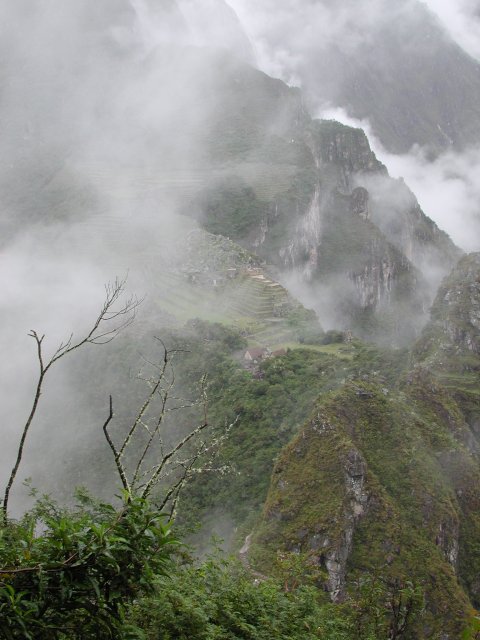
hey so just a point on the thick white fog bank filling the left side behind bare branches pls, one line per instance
(105, 109)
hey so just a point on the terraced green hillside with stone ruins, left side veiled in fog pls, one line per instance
(185, 273)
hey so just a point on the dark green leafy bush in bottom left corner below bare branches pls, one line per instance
(70, 573)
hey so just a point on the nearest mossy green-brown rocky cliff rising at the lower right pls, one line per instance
(385, 478)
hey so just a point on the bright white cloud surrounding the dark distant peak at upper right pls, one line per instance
(294, 41)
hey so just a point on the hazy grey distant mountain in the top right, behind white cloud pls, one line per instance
(396, 66)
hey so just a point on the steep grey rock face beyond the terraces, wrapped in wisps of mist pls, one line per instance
(357, 234)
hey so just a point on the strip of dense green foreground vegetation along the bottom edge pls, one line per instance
(102, 572)
